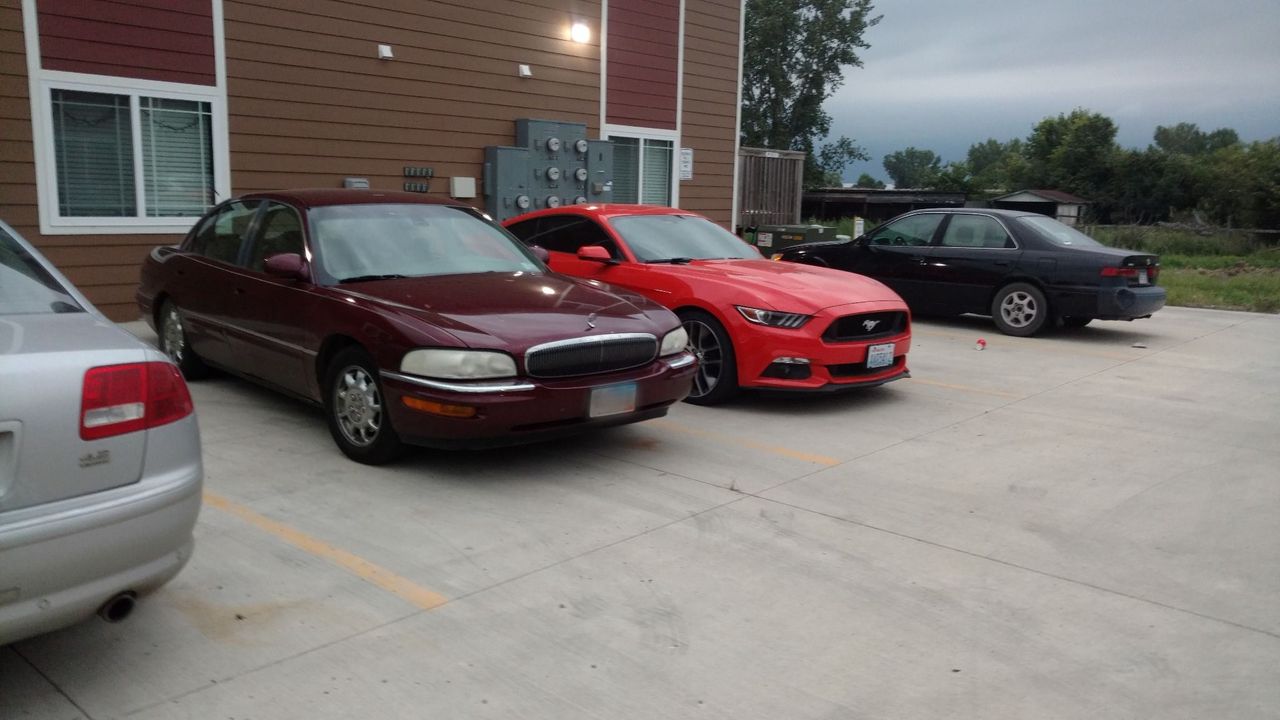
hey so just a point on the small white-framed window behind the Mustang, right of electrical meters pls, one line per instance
(644, 166)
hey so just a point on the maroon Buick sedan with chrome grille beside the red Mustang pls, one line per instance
(412, 321)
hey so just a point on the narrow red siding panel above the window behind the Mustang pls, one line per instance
(642, 67)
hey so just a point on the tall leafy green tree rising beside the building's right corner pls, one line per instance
(797, 52)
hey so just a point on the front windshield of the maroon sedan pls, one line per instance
(364, 243)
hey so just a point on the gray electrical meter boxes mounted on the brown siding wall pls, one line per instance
(552, 165)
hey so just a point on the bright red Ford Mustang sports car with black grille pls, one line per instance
(751, 322)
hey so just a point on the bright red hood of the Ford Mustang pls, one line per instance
(787, 286)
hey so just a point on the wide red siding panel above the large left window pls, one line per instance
(164, 40)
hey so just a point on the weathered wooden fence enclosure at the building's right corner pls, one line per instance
(772, 185)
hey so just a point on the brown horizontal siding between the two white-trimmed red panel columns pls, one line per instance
(310, 103)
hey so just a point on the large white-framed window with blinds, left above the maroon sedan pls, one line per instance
(129, 156)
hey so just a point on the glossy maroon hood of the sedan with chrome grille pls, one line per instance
(515, 311)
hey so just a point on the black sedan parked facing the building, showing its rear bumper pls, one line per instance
(1023, 270)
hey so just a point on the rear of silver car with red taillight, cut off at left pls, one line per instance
(100, 471)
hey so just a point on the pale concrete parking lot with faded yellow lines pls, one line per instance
(1078, 526)
